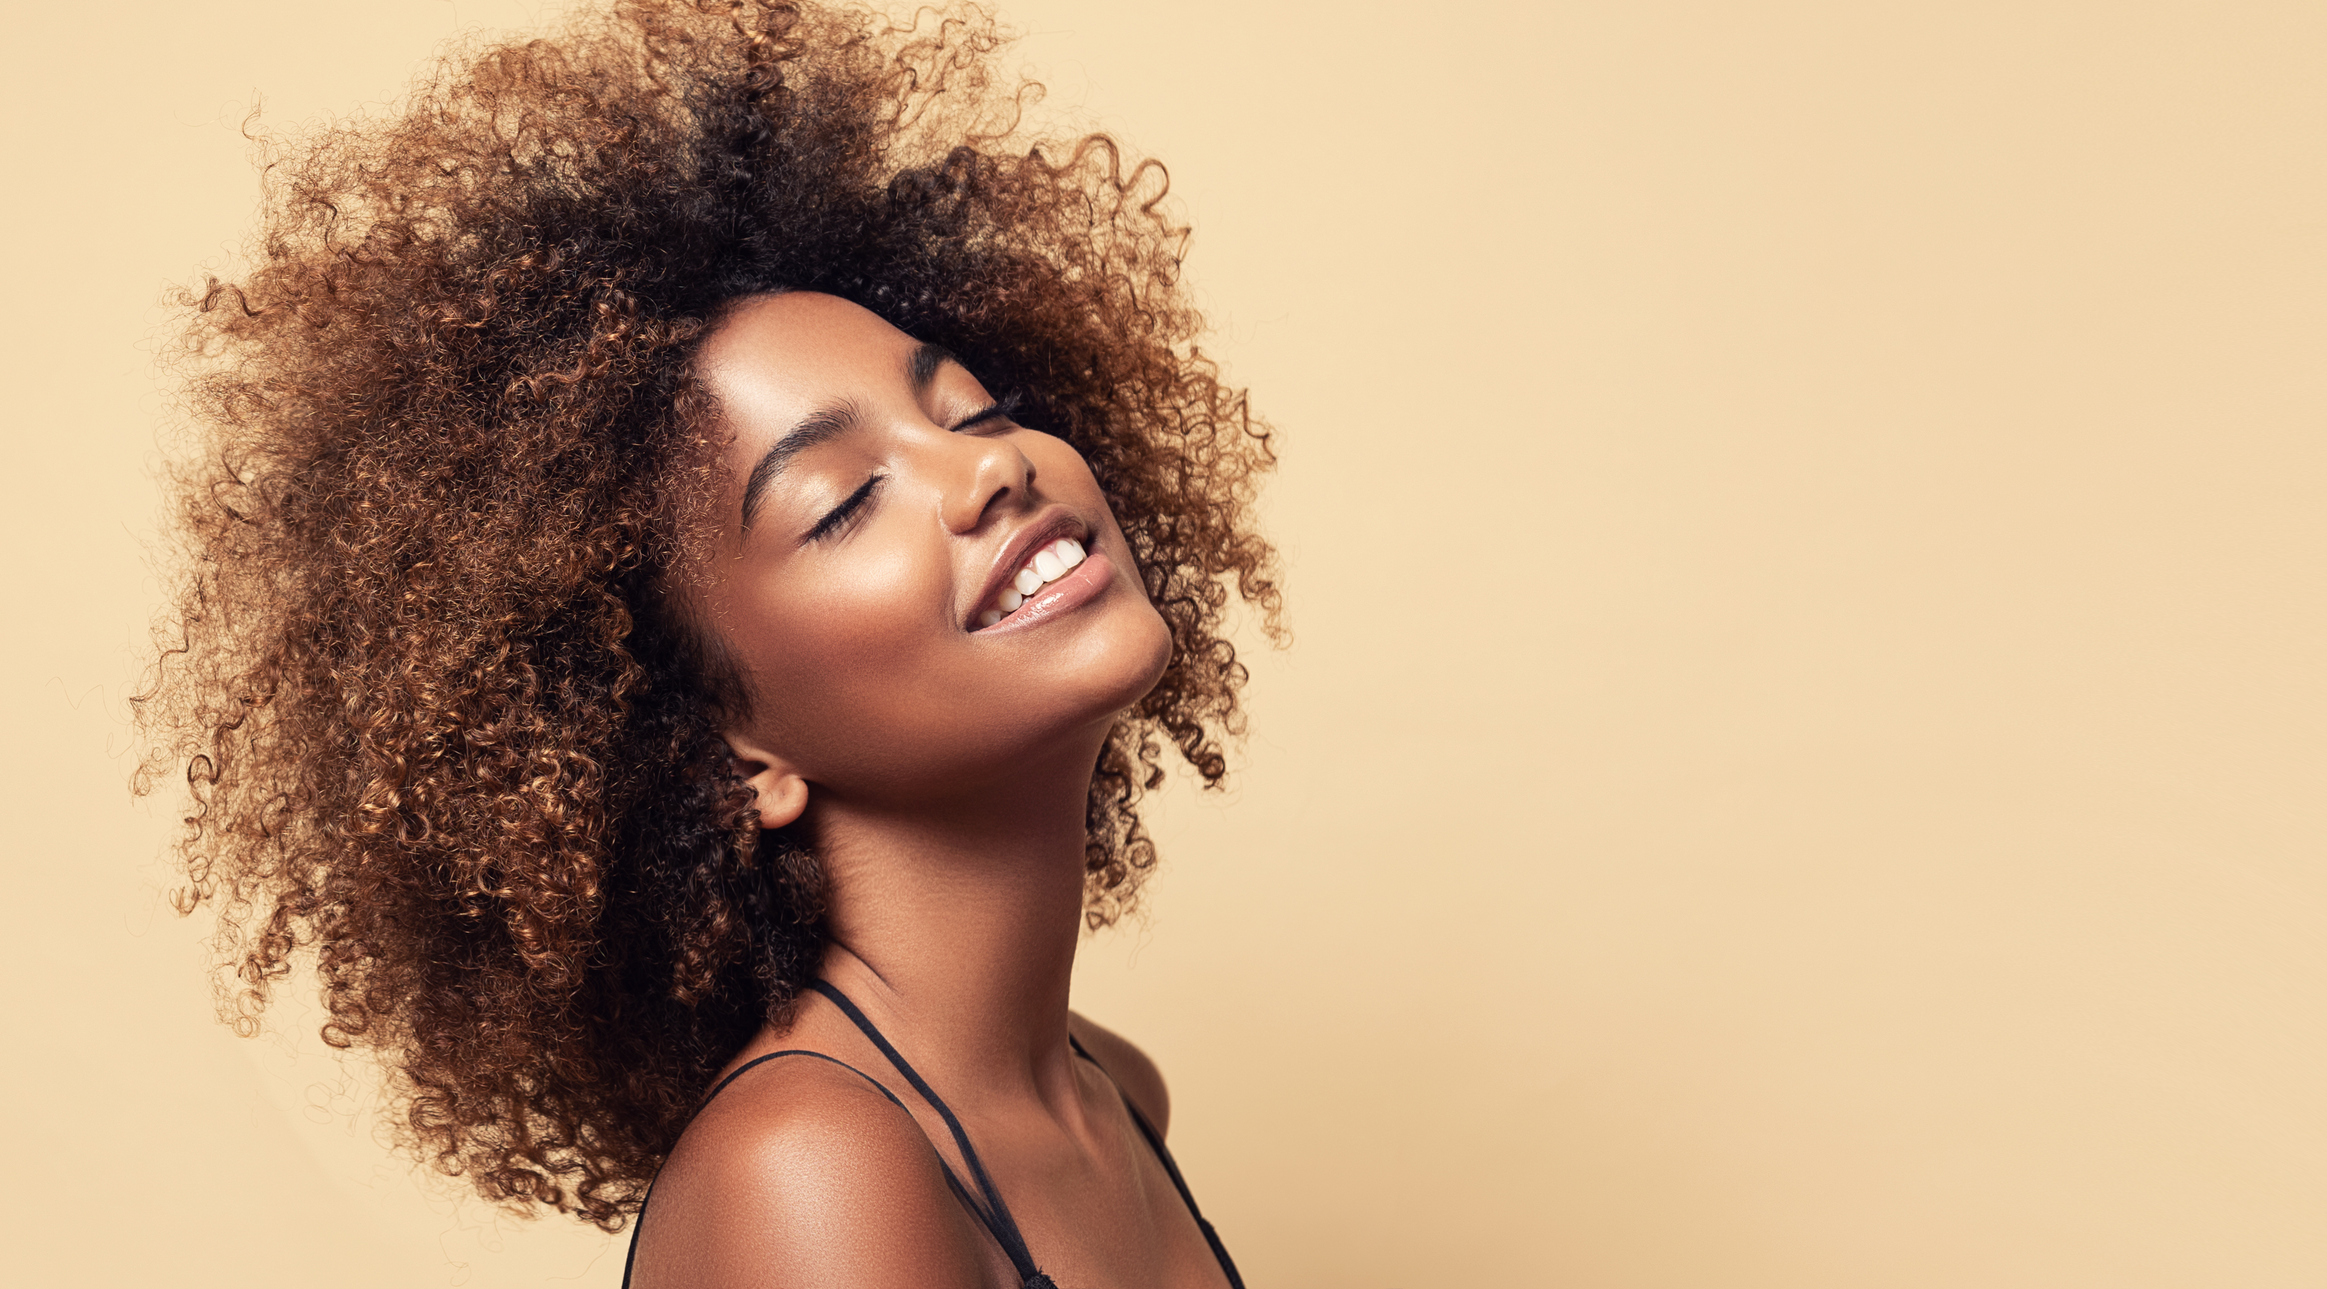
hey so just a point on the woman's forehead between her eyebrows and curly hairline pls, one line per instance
(778, 357)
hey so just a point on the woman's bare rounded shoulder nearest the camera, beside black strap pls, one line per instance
(804, 1174)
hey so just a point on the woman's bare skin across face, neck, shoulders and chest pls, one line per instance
(941, 774)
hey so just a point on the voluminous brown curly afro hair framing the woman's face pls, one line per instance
(425, 676)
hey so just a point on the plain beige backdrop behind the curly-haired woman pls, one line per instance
(1802, 762)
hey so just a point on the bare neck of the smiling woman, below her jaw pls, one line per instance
(955, 930)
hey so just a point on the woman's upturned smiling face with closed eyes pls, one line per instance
(881, 515)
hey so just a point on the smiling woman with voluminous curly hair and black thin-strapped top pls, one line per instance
(699, 548)
